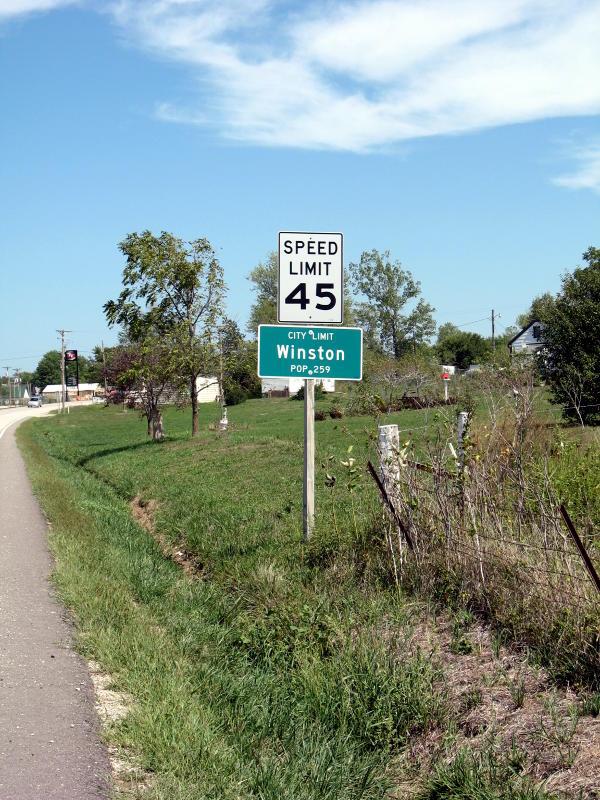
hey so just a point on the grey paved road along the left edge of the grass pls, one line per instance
(49, 743)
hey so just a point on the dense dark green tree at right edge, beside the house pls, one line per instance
(571, 355)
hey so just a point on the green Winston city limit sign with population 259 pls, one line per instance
(302, 351)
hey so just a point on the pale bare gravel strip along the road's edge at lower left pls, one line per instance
(128, 778)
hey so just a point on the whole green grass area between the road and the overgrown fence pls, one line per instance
(269, 672)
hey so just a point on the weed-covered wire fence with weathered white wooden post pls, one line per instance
(485, 526)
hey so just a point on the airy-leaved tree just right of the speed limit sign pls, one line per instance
(388, 288)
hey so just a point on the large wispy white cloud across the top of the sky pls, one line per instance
(358, 75)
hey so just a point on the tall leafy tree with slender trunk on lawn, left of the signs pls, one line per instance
(173, 288)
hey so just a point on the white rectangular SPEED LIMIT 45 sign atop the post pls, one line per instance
(311, 278)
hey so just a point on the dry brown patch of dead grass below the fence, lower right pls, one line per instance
(499, 700)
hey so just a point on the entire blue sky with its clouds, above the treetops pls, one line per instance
(462, 136)
